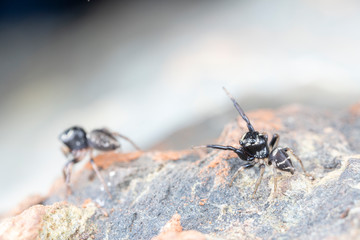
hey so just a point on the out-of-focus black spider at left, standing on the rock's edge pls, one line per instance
(79, 144)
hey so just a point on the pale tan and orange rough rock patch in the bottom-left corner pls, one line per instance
(57, 221)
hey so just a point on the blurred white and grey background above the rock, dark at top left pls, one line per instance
(151, 68)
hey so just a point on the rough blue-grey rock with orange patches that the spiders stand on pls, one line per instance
(189, 191)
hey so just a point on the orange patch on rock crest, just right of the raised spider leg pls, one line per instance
(264, 120)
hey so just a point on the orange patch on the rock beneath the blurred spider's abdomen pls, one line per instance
(107, 159)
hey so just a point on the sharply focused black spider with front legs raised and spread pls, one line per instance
(256, 150)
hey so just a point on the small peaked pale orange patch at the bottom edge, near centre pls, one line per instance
(173, 231)
